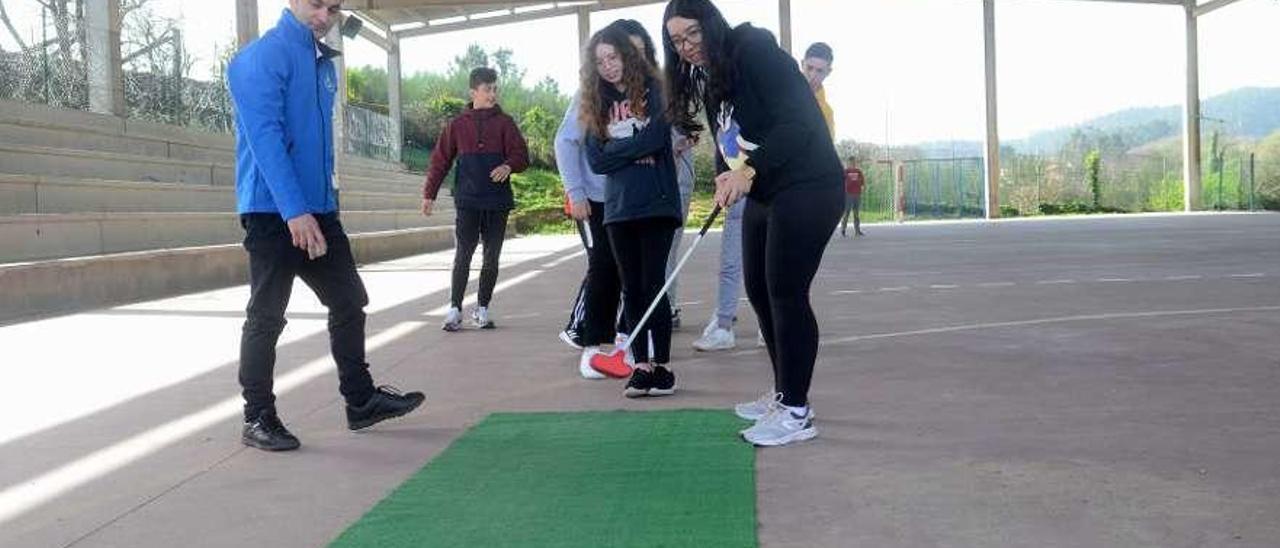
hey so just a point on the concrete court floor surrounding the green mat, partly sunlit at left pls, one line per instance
(1090, 382)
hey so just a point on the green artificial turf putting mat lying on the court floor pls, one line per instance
(584, 479)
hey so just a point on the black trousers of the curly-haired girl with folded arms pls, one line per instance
(641, 252)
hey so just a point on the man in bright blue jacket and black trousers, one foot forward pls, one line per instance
(284, 86)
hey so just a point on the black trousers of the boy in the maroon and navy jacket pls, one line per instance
(473, 227)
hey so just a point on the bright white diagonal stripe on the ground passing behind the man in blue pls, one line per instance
(39, 491)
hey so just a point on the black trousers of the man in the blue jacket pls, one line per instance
(273, 264)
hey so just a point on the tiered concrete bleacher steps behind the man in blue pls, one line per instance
(98, 211)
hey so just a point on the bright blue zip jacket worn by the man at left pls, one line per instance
(284, 88)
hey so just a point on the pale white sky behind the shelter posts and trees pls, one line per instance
(907, 71)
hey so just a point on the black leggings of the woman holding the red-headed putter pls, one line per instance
(783, 246)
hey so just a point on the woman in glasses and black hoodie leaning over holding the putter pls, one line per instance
(774, 148)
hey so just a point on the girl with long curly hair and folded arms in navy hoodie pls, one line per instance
(628, 140)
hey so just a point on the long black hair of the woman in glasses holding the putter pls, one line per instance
(693, 89)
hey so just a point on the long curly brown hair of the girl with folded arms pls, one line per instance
(637, 72)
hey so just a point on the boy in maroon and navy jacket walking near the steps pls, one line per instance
(488, 148)
